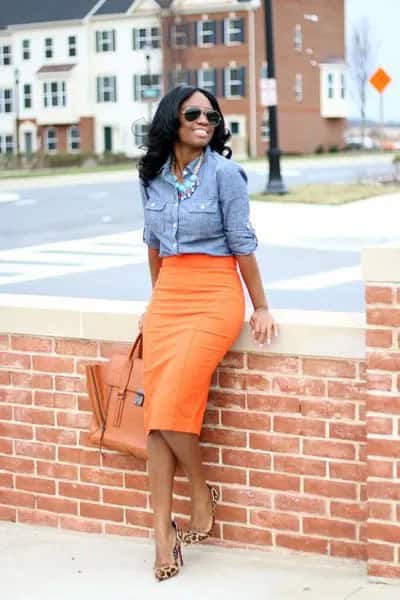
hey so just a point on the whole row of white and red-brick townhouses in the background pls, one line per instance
(86, 76)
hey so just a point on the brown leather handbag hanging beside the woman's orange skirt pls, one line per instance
(115, 389)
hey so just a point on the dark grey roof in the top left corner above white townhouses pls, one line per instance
(21, 12)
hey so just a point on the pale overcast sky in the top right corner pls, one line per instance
(385, 19)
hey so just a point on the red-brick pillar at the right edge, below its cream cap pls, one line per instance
(383, 428)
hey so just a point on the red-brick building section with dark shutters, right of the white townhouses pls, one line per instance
(225, 51)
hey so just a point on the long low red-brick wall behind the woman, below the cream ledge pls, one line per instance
(284, 439)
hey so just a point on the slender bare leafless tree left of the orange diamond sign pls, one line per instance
(363, 49)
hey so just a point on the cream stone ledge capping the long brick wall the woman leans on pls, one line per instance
(301, 333)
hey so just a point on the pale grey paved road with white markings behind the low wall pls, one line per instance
(84, 239)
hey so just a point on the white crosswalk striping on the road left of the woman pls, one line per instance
(73, 256)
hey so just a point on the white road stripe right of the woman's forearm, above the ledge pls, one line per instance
(318, 281)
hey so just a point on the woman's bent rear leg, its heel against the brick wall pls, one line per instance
(186, 448)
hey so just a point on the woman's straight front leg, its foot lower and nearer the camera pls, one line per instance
(162, 465)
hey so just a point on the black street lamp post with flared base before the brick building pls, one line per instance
(275, 183)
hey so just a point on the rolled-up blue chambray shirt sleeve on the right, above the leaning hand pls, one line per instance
(234, 199)
